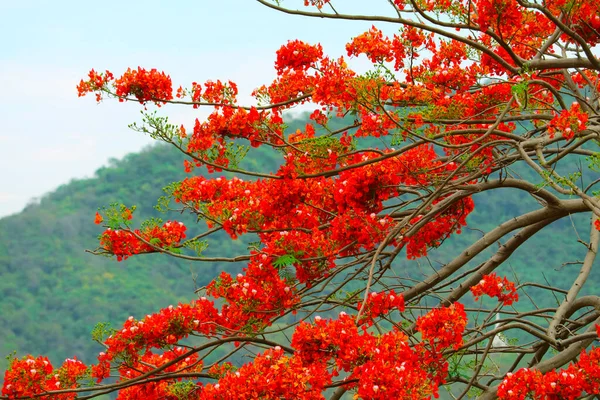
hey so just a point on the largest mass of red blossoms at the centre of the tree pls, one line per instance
(322, 218)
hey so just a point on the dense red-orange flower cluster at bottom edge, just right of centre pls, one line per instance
(380, 367)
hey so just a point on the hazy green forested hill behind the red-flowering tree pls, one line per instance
(53, 292)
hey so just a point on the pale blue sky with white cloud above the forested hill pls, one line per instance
(49, 136)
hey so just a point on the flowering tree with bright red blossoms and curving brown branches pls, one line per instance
(462, 91)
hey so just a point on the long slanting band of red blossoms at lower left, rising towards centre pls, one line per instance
(251, 301)
